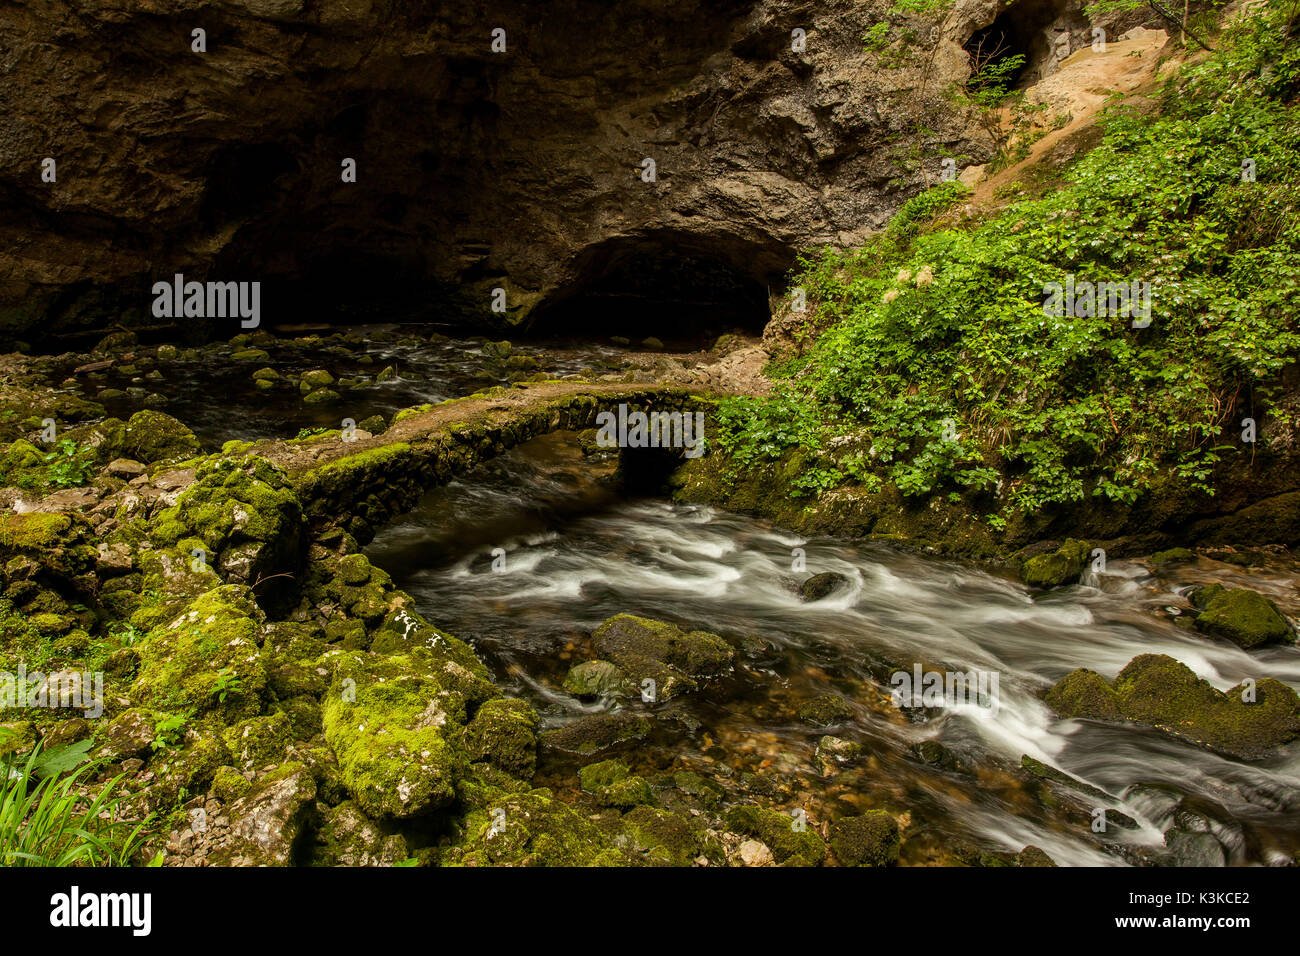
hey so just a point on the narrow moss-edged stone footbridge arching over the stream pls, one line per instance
(365, 483)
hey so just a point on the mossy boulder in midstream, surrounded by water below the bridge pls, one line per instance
(674, 659)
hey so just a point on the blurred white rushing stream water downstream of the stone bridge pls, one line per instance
(575, 555)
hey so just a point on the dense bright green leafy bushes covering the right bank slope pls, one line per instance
(939, 370)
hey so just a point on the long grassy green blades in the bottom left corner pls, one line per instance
(49, 817)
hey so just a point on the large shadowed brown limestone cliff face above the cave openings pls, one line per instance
(475, 170)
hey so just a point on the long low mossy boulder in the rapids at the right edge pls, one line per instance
(1165, 694)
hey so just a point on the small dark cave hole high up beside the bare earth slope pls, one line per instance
(1038, 33)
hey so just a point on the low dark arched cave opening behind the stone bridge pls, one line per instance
(679, 291)
